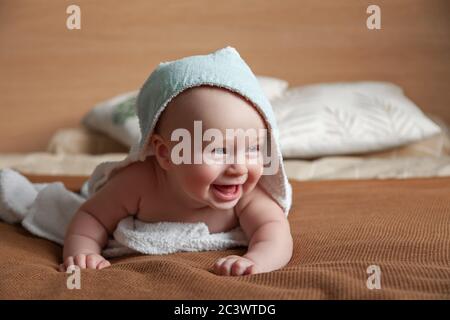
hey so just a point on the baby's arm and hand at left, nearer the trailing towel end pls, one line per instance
(98, 217)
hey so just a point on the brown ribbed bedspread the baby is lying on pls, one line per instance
(340, 228)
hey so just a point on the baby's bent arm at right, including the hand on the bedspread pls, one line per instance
(270, 246)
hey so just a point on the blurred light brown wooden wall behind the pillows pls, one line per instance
(51, 76)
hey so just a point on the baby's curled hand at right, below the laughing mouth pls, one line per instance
(235, 266)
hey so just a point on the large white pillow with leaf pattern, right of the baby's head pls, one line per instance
(346, 118)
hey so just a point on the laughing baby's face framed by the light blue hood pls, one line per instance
(228, 169)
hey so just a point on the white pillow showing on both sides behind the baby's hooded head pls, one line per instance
(117, 118)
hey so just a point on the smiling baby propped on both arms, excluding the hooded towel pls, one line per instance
(220, 193)
